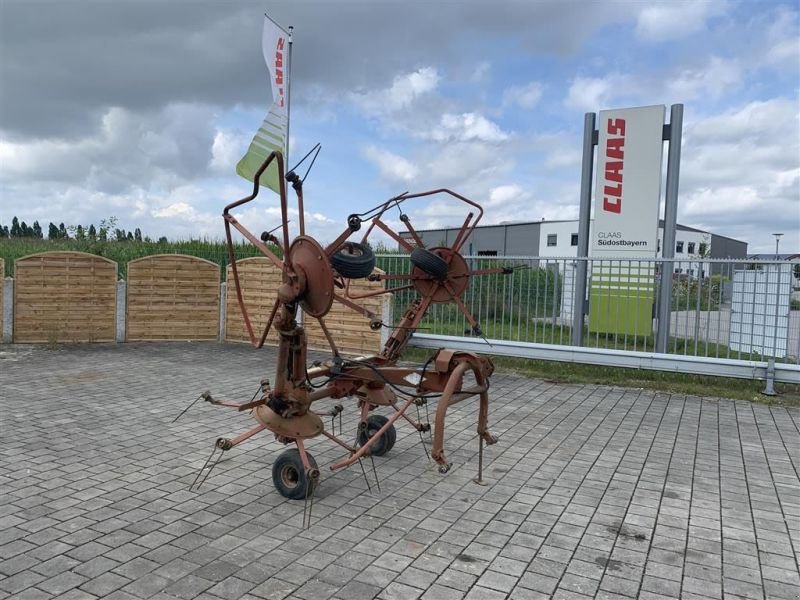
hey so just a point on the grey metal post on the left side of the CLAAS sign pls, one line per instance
(579, 288)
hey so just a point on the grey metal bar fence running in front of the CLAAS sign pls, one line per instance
(719, 309)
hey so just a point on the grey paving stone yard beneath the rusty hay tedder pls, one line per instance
(592, 492)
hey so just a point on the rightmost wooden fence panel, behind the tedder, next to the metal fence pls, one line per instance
(349, 329)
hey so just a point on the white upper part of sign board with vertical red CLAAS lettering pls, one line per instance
(628, 185)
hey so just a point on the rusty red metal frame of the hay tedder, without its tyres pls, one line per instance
(373, 381)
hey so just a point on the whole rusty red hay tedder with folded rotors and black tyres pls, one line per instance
(314, 276)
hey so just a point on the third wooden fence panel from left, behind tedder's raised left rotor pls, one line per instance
(259, 279)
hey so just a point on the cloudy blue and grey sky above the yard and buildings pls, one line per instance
(140, 110)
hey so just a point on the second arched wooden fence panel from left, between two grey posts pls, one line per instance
(172, 297)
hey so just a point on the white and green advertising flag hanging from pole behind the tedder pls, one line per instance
(272, 133)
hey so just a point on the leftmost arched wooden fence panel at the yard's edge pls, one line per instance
(65, 297)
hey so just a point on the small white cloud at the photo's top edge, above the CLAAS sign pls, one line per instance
(674, 20)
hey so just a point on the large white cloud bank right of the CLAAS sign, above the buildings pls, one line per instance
(740, 173)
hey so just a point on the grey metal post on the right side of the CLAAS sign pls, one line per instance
(670, 221)
